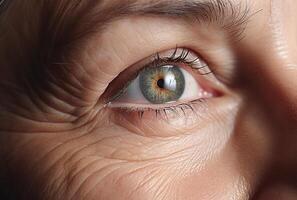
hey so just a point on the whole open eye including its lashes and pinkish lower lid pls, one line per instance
(170, 86)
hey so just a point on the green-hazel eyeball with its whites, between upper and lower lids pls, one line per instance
(164, 81)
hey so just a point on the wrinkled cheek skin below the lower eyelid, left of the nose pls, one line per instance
(109, 162)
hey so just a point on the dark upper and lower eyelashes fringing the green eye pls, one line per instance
(178, 109)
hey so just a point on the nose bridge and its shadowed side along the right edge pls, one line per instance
(268, 73)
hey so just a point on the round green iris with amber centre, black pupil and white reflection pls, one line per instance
(161, 85)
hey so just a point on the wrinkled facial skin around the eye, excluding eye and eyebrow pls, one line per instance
(243, 146)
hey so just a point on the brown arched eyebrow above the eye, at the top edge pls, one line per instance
(94, 16)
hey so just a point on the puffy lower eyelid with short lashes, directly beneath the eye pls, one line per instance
(166, 122)
